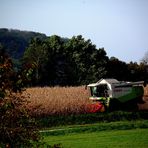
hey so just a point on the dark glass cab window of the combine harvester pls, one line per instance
(99, 91)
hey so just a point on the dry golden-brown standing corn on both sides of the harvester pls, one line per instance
(44, 101)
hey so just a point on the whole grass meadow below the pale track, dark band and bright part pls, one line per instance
(114, 134)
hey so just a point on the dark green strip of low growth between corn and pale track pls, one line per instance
(91, 118)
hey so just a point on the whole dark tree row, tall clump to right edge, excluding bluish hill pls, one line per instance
(76, 61)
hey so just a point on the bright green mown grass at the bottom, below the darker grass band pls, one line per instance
(133, 138)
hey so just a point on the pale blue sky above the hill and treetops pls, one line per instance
(120, 26)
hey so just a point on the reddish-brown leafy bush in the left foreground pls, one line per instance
(17, 128)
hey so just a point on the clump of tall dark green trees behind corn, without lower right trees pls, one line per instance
(66, 62)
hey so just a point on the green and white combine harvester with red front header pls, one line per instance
(110, 94)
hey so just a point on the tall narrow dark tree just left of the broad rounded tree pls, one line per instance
(55, 67)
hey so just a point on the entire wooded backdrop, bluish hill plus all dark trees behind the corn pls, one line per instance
(42, 60)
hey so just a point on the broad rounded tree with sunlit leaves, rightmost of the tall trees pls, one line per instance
(88, 63)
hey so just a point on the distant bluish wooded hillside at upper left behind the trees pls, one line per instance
(15, 41)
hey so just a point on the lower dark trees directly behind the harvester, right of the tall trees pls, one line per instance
(126, 71)
